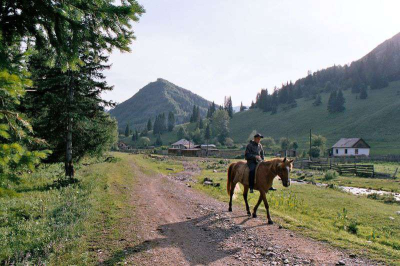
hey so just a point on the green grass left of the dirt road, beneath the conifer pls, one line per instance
(67, 225)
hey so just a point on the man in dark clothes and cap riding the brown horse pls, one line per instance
(254, 154)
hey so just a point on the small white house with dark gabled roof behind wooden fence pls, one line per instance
(350, 147)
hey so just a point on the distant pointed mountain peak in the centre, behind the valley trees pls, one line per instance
(155, 98)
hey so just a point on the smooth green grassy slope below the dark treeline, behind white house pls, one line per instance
(375, 119)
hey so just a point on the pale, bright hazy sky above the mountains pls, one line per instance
(218, 48)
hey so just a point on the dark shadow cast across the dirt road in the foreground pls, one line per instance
(199, 241)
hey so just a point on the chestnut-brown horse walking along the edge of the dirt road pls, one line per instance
(265, 174)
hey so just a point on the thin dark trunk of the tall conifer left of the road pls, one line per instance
(69, 167)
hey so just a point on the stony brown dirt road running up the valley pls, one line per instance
(177, 225)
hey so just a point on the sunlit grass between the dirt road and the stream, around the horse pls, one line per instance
(357, 223)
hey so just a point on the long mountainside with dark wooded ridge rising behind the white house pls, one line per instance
(374, 119)
